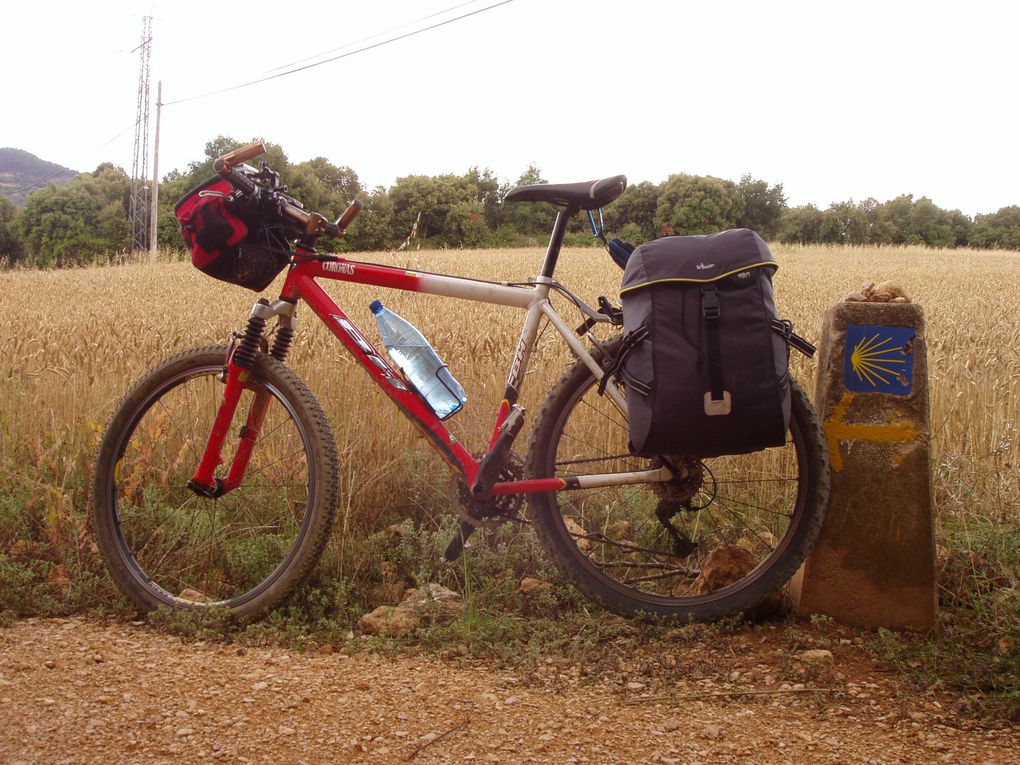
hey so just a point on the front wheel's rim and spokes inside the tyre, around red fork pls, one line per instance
(192, 552)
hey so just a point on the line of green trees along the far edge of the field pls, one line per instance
(87, 220)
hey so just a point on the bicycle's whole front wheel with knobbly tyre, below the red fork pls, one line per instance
(245, 551)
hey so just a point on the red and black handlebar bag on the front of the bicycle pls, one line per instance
(227, 238)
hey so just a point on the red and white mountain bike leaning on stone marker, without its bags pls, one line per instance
(176, 520)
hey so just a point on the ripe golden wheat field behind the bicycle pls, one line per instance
(76, 340)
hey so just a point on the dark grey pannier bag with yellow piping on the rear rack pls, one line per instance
(705, 354)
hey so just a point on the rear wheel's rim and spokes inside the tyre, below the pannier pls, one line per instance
(751, 511)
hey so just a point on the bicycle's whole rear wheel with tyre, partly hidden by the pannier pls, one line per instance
(711, 543)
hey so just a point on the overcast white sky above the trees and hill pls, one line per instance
(835, 100)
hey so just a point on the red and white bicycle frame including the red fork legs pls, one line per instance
(301, 285)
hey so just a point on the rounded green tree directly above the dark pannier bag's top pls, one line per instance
(698, 205)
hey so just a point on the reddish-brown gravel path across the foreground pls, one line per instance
(79, 691)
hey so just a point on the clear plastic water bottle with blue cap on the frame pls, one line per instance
(419, 363)
